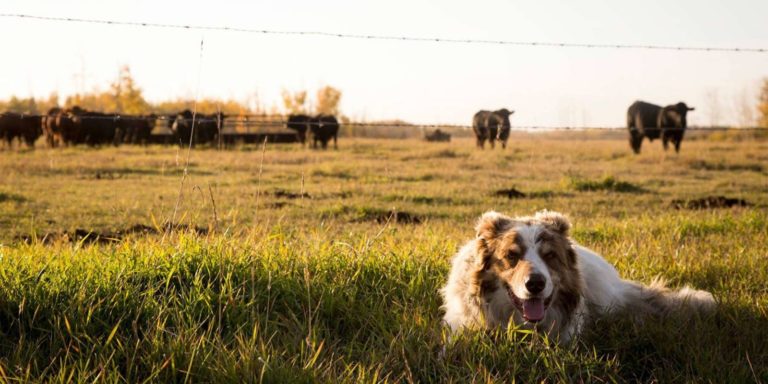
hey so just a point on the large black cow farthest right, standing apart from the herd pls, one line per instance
(652, 121)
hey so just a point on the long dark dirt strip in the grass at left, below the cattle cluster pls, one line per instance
(90, 236)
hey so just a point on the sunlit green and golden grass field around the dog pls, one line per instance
(285, 264)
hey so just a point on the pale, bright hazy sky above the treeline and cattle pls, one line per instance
(420, 82)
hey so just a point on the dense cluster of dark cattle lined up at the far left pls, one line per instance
(66, 127)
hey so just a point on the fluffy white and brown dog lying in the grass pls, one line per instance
(527, 271)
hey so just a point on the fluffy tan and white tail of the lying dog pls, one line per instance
(657, 299)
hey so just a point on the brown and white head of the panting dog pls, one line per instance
(531, 258)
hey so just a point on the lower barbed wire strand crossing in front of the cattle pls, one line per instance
(277, 122)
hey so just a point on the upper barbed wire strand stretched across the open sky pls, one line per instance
(548, 44)
